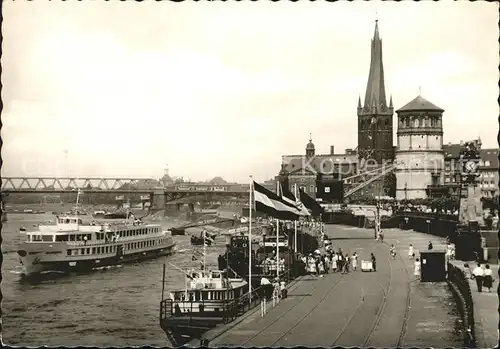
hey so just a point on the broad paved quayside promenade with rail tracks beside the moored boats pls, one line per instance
(386, 308)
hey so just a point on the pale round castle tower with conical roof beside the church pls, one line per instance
(419, 152)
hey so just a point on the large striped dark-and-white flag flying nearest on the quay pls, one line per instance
(268, 202)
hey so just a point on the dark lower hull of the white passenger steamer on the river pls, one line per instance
(35, 265)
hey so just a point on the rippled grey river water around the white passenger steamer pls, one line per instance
(118, 306)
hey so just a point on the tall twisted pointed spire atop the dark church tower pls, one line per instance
(375, 89)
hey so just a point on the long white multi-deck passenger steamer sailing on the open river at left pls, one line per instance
(72, 245)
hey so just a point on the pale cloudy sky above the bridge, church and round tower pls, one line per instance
(125, 89)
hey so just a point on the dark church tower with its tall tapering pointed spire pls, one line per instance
(375, 125)
